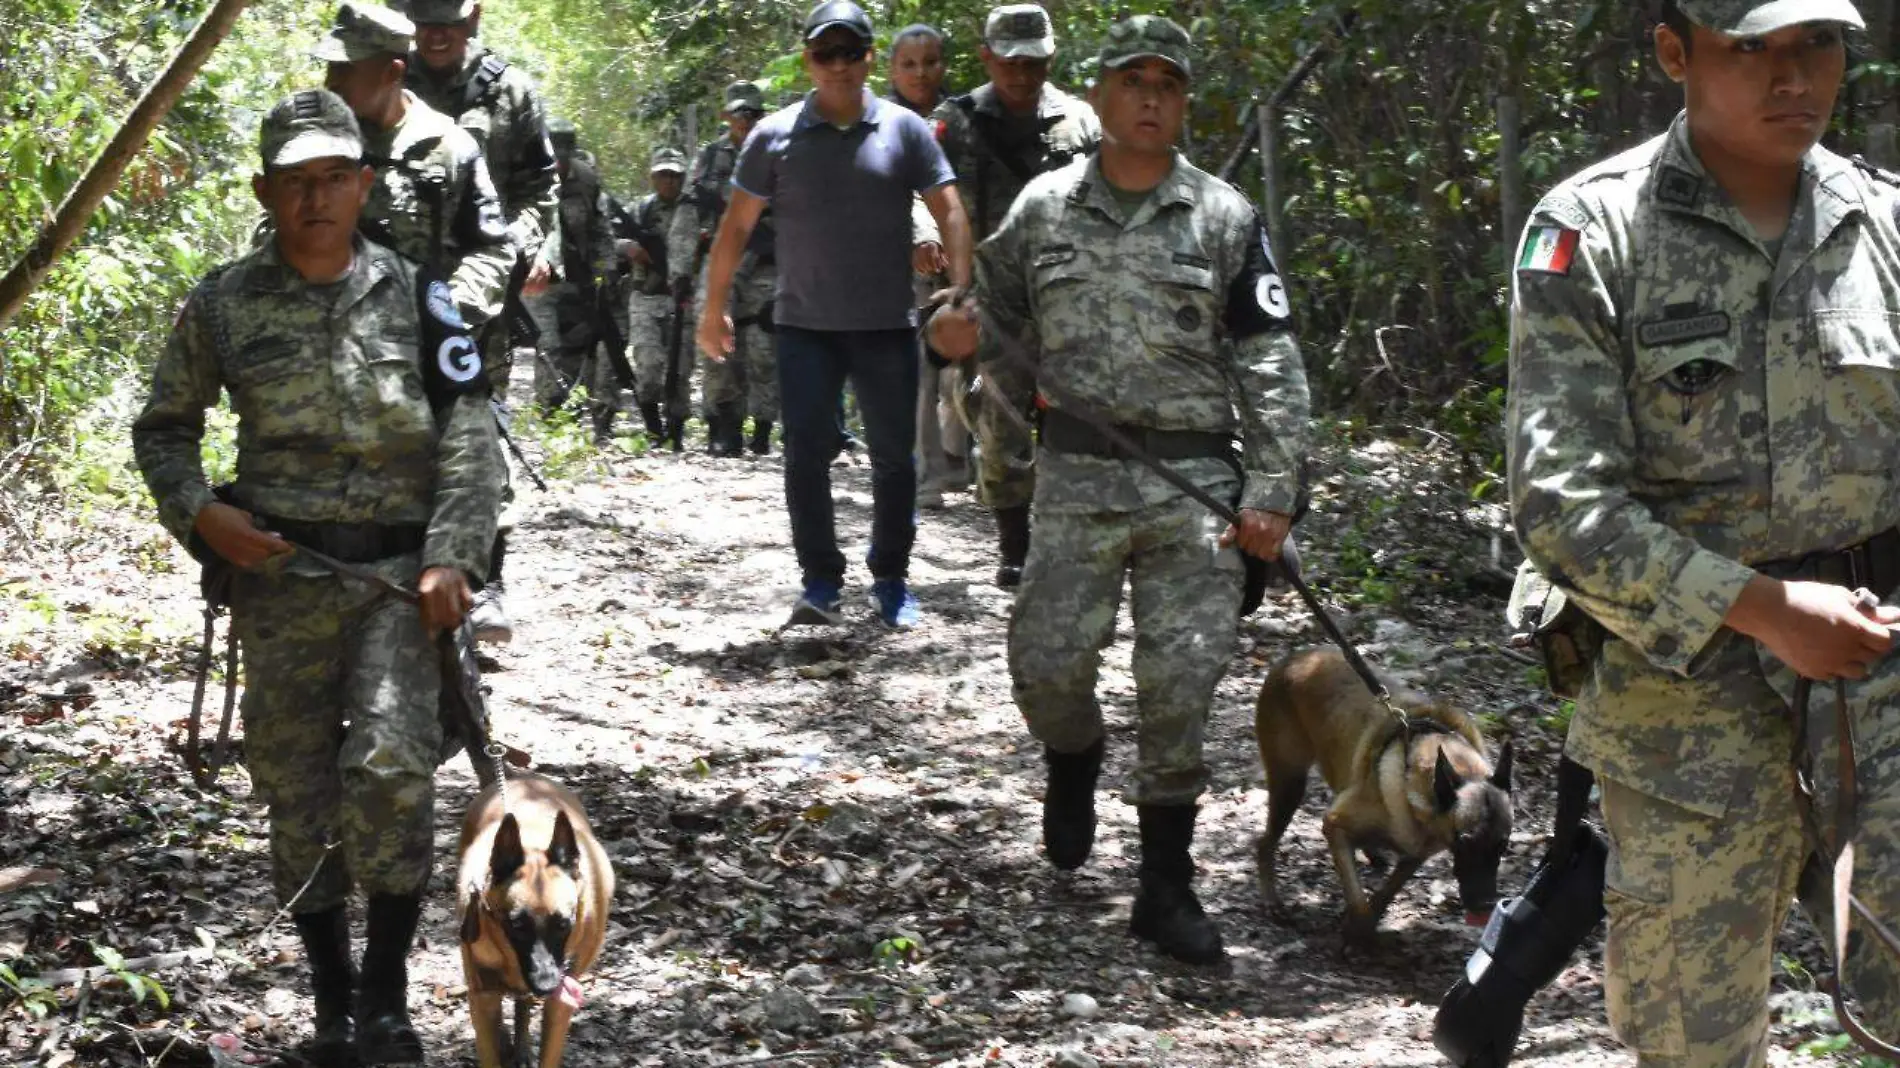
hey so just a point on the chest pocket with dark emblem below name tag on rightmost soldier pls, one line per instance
(1694, 413)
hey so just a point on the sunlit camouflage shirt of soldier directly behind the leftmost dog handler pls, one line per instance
(436, 204)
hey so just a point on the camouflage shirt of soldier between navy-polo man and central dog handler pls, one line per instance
(991, 172)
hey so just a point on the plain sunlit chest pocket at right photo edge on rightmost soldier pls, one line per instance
(1861, 356)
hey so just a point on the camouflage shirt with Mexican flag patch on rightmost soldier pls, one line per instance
(1688, 402)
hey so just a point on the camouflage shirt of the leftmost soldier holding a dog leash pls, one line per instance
(333, 419)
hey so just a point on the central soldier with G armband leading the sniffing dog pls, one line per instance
(1145, 290)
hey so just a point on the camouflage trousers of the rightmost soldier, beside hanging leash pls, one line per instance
(1696, 902)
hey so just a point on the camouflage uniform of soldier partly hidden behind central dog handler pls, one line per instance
(989, 176)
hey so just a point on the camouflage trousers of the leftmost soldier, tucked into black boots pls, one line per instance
(341, 733)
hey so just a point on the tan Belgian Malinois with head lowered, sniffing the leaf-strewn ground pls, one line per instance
(1413, 793)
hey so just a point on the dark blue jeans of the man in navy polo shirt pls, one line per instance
(883, 368)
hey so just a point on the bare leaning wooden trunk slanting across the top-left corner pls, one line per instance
(83, 200)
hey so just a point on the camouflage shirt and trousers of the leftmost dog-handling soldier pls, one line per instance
(333, 429)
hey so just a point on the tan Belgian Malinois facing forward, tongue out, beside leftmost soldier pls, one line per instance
(535, 890)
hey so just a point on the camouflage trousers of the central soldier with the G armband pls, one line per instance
(1187, 605)
